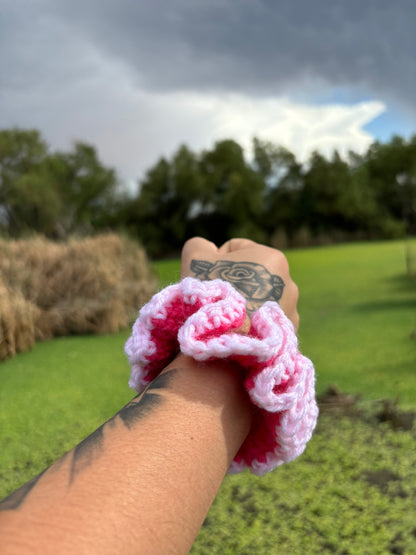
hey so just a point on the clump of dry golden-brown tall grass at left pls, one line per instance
(92, 285)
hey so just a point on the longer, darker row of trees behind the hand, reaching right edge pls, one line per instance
(271, 197)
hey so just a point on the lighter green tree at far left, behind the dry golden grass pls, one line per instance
(53, 194)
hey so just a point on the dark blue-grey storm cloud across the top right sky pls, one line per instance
(253, 46)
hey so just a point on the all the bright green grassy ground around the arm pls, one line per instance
(354, 489)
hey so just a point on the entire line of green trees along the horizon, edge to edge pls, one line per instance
(217, 193)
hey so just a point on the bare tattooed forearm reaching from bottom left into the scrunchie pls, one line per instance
(143, 482)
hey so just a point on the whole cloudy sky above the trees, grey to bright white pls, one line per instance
(137, 78)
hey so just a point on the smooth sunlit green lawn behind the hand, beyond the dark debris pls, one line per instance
(358, 312)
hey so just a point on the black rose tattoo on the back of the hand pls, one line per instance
(252, 280)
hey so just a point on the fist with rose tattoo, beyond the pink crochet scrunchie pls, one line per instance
(258, 272)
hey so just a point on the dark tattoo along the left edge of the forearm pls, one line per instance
(85, 452)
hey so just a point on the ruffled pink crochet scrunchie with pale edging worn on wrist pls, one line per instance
(198, 318)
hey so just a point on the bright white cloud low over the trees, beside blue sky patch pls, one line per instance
(301, 128)
